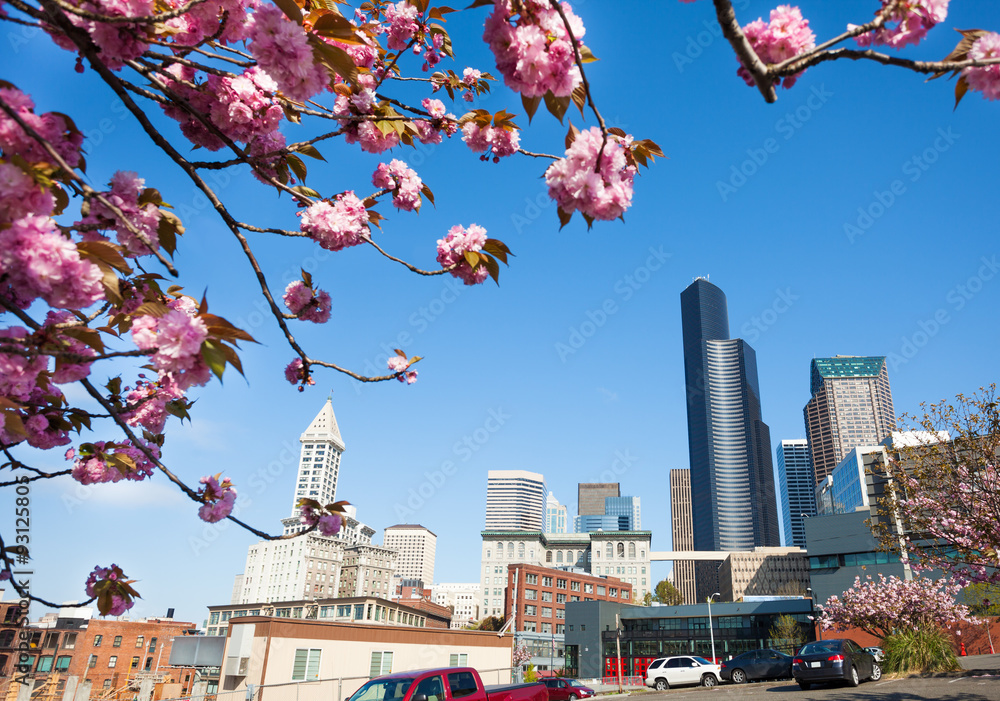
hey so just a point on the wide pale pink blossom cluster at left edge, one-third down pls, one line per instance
(36, 260)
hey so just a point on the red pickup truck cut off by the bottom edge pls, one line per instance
(444, 684)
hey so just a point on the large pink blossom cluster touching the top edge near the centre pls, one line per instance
(534, 51)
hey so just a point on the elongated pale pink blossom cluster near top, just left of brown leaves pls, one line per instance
(282, 50)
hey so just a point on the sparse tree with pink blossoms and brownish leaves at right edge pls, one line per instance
(942, 505)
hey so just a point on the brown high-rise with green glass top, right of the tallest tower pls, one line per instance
(851, 405)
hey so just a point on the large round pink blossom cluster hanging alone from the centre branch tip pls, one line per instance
(577, 183)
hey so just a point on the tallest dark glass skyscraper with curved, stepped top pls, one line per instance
(732, 483)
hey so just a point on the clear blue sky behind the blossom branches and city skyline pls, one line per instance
(579, 349)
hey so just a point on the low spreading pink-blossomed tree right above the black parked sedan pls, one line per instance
(886, 605)
